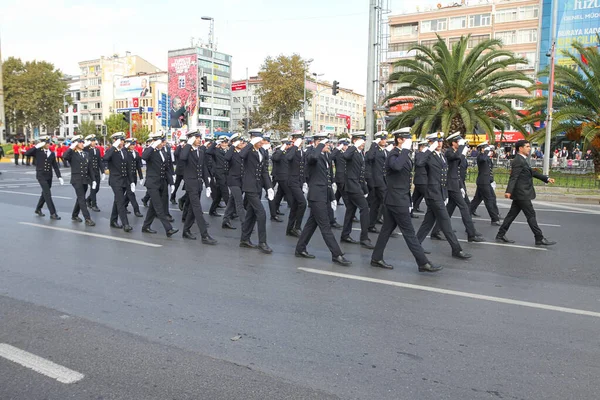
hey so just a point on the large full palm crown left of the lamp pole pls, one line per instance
(459, 89)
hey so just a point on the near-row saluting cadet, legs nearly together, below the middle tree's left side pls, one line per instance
(254, 180)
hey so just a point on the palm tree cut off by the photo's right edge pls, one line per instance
(576, 99)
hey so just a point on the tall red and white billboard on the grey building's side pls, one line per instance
(183, 91)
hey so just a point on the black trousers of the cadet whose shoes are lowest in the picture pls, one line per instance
(393, 217)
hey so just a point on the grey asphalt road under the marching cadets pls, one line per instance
(159, 318)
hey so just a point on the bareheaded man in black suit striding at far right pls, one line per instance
(521, 191)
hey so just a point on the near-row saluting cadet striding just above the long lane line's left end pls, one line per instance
(320, 199)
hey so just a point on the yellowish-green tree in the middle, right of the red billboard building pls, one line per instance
(281, 92)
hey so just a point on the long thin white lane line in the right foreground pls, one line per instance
(456, 293)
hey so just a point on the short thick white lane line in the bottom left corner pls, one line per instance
(39, 364)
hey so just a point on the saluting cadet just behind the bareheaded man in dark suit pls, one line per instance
(485, 184)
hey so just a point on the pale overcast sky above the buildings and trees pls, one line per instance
(333, 33)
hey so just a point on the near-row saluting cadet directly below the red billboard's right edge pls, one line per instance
(194, 174)
